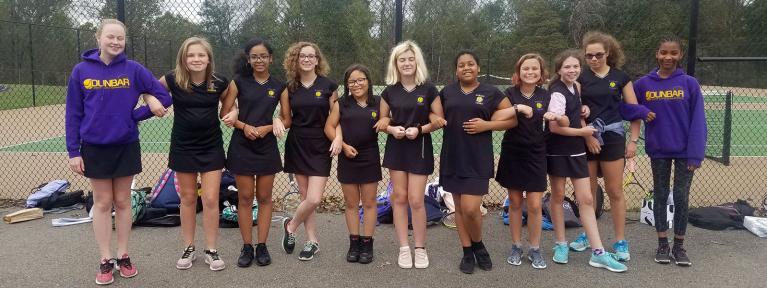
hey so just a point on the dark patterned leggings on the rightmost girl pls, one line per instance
(661, 173)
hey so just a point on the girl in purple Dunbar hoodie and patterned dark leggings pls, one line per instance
(678, 136)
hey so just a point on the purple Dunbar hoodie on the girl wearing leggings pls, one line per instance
(679, 128)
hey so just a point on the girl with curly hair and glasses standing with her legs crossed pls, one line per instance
(307, 151)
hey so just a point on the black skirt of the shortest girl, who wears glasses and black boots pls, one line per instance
(362, 169)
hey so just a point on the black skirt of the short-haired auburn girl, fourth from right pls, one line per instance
(524, 174)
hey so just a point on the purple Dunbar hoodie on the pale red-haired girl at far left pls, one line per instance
(101, 99)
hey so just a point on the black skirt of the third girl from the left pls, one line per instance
(253, 157)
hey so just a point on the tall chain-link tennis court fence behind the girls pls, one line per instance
(42, 41)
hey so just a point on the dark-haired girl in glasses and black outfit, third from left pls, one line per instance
(253, 154)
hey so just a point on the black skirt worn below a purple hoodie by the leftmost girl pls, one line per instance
(111, 161)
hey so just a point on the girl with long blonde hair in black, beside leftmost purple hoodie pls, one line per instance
(196, 146)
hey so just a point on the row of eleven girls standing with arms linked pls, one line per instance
(574, 130)
